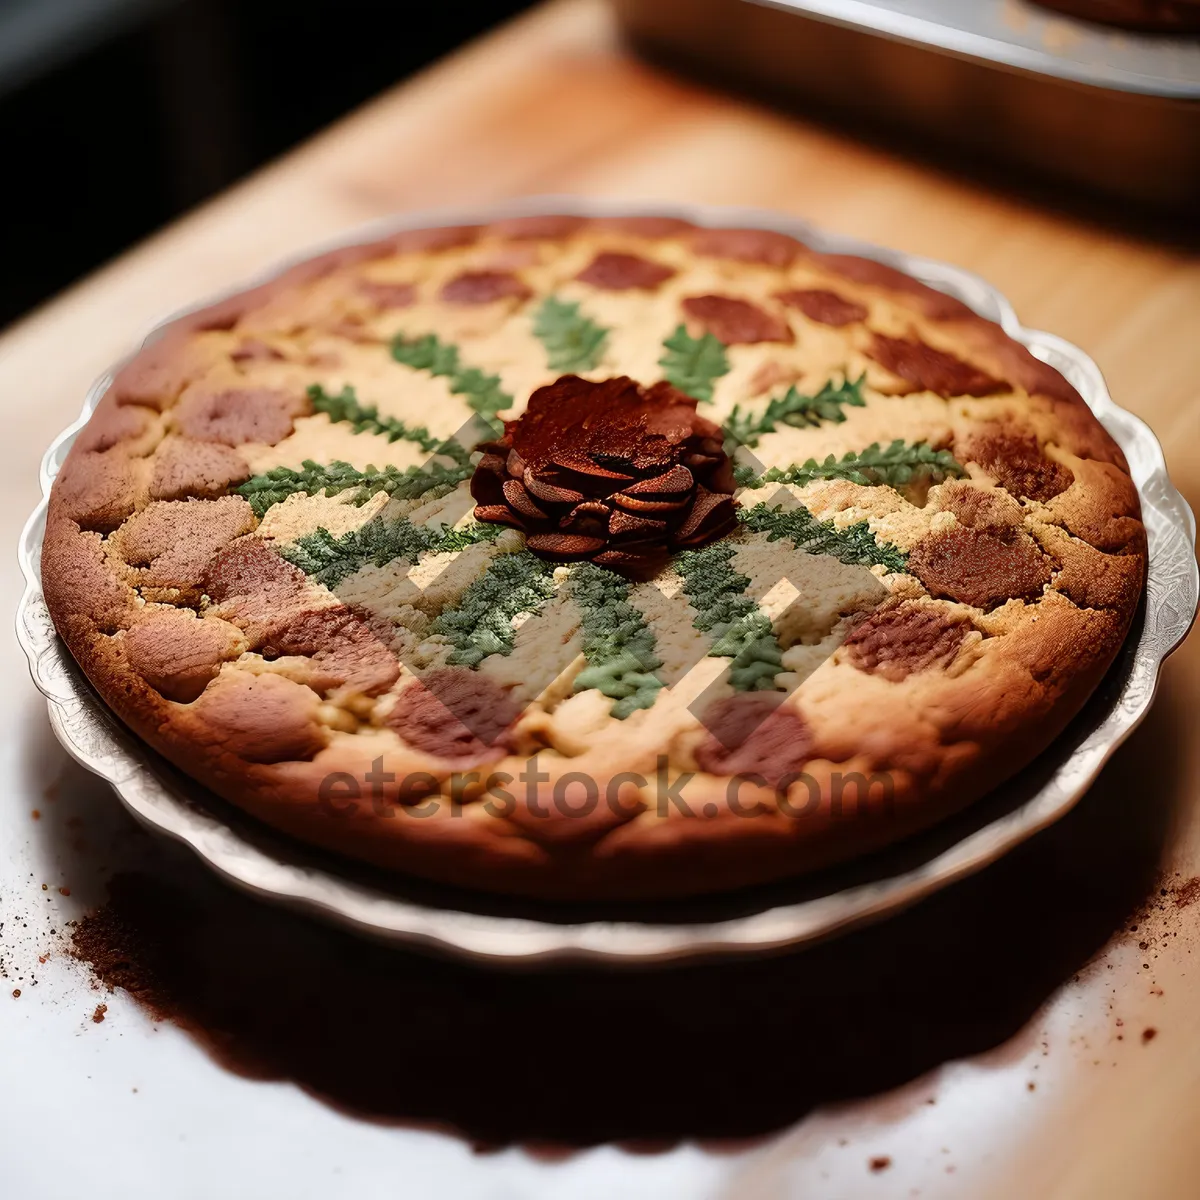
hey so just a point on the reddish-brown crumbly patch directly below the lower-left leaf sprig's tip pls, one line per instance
(344, 652)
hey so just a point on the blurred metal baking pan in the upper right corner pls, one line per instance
(999, 80)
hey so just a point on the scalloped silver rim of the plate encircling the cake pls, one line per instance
(98, 743)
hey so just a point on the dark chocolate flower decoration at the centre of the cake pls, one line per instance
(611, 472)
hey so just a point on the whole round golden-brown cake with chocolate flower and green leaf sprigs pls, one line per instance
(595, 559)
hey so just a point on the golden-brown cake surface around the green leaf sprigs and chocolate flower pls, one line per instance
(296, 695)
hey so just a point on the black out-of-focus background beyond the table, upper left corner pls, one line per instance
(116, 116)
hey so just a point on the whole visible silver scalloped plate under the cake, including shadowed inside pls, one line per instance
(507, 932)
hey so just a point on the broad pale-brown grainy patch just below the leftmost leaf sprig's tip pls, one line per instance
(172, 542)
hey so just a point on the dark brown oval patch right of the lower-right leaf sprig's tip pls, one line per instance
(981, 568)
